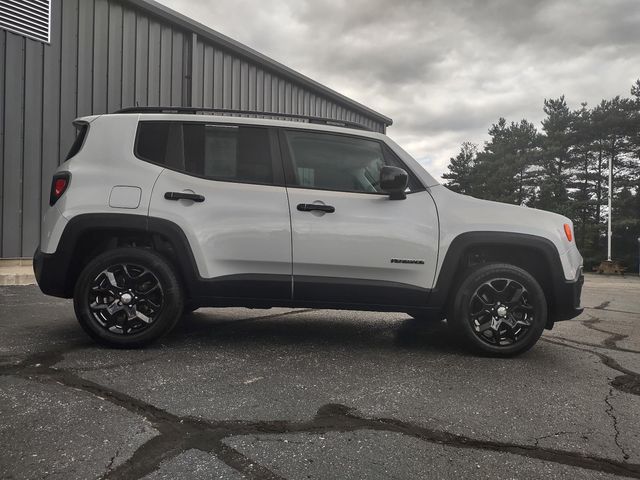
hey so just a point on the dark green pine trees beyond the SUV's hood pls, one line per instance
(564, 168)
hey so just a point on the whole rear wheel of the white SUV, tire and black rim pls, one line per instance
(127, 298)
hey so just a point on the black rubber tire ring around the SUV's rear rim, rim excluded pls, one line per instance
(172, 297)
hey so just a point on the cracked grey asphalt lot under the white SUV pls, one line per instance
(296, 394)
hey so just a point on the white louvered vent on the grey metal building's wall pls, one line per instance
(31, 18)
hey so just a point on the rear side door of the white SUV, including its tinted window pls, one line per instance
(223, 186)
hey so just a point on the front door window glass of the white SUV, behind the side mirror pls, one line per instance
(337, 162)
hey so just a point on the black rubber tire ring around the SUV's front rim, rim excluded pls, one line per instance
(460, 309)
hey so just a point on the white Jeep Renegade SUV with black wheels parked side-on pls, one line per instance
(161, 211)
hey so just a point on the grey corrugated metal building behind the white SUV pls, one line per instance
(62, 59)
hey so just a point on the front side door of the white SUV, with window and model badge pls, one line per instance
(351, 243)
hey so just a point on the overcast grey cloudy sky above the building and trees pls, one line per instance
(444, 71)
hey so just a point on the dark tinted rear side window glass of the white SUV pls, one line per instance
(217, 152)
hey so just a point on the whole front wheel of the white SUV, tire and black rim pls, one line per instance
(499, 310)
